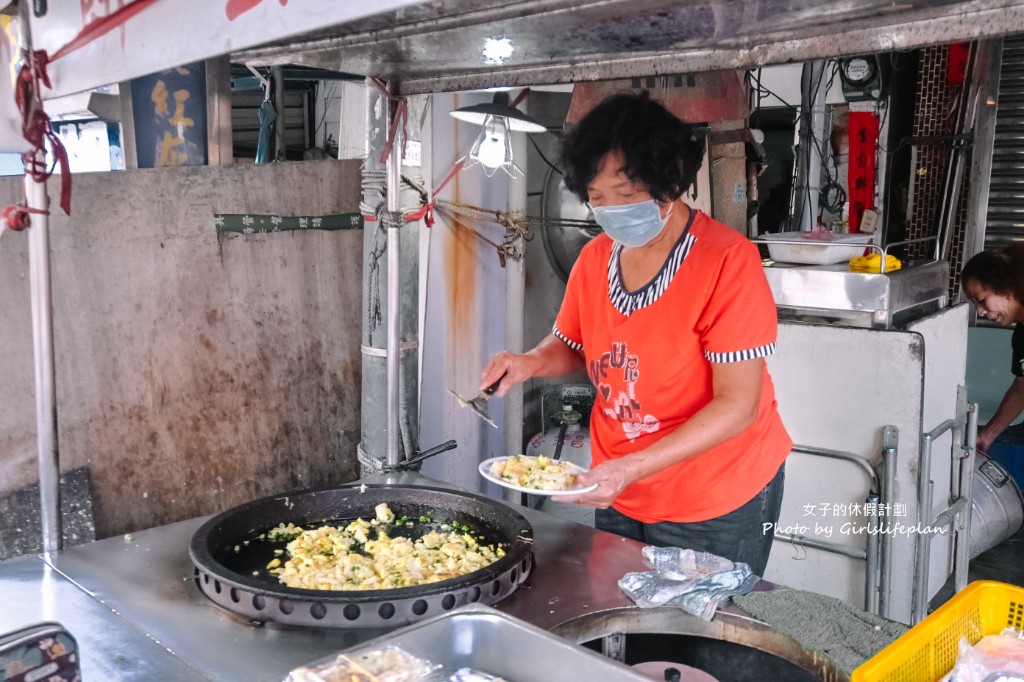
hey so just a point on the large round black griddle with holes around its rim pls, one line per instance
(232, 572)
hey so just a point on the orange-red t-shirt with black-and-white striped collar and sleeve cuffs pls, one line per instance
(651, 355)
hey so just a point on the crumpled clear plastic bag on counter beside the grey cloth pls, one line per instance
(697, 582)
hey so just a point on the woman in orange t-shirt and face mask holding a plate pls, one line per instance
(671, 315)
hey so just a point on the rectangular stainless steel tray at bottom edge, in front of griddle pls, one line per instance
(490, 642)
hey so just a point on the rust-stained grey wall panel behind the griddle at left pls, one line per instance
(194, 374)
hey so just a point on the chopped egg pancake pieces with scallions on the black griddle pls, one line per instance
(350, 559)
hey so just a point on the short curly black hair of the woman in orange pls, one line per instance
(660, 151)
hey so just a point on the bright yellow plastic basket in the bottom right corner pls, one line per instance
(929, 651)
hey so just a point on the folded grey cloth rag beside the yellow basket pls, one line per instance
(848, 635)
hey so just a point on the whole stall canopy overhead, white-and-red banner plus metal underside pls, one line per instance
(449, 46)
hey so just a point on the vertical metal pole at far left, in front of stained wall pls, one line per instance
(42, 338)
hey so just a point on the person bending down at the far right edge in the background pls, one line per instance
(994, 281)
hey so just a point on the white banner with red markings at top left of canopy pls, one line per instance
(99, 42)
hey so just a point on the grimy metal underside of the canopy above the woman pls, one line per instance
(451, 46)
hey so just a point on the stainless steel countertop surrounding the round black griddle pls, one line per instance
(132, 605)
